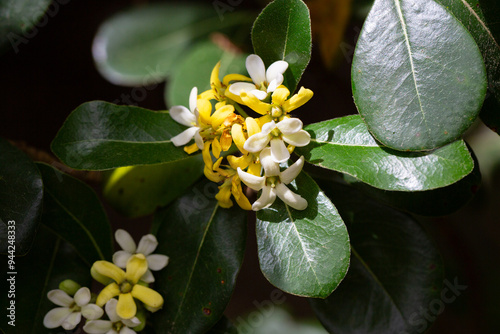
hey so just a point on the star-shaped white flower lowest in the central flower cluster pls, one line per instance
(273, 183)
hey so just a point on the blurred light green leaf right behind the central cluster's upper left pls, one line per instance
(195, 70)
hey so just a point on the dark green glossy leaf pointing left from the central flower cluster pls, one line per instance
(100, 135)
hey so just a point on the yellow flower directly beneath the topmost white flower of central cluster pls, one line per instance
(279, 106)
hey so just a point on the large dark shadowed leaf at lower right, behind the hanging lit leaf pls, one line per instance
(394, 282)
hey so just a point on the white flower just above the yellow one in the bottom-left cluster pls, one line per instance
(147, 245)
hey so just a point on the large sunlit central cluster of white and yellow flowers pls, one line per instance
(217, 119)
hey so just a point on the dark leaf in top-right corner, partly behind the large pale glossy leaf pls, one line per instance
(478, 18)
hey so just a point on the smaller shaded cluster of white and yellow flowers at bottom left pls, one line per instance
(125, 315)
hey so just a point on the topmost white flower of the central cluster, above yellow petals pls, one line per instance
(264, 82)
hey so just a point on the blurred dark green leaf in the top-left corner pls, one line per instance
(18, 19)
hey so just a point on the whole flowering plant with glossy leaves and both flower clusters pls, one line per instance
(330, 201)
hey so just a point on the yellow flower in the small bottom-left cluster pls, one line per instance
(124, 284)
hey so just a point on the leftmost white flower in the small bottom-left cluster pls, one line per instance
(73, 308)
